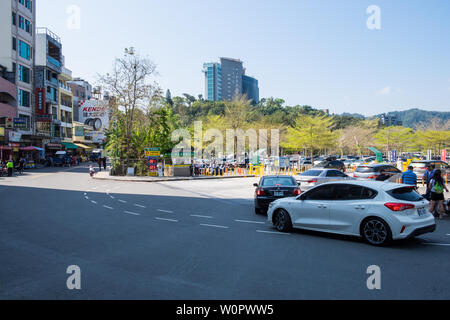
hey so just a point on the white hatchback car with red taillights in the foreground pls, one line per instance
(376, 211)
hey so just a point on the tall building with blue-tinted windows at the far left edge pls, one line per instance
(17, 47)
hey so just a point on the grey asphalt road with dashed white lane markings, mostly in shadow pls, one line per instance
(189, 240)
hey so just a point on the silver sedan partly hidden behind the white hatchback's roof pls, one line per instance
(315, 177)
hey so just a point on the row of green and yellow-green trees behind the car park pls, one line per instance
(142, 116)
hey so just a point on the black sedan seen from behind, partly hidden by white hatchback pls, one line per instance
(272, 188)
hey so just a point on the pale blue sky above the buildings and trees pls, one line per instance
(318, 53)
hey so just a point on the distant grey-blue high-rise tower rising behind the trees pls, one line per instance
(227, 79)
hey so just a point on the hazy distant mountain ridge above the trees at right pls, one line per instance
(410, 118)
